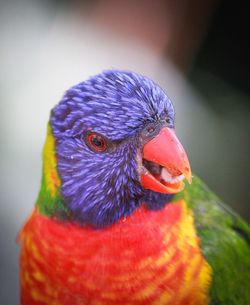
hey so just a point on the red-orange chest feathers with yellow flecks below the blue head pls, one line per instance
(148, 258)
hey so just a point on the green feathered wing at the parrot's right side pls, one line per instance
(225, 242)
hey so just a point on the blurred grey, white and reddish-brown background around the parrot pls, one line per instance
(198, 51)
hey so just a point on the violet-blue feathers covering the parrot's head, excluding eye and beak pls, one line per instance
(101, 187)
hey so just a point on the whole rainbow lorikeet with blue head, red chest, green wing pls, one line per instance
(114, 222)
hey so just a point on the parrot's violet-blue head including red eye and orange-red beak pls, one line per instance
(115, 148)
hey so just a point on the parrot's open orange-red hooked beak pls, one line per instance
(167, 154)
